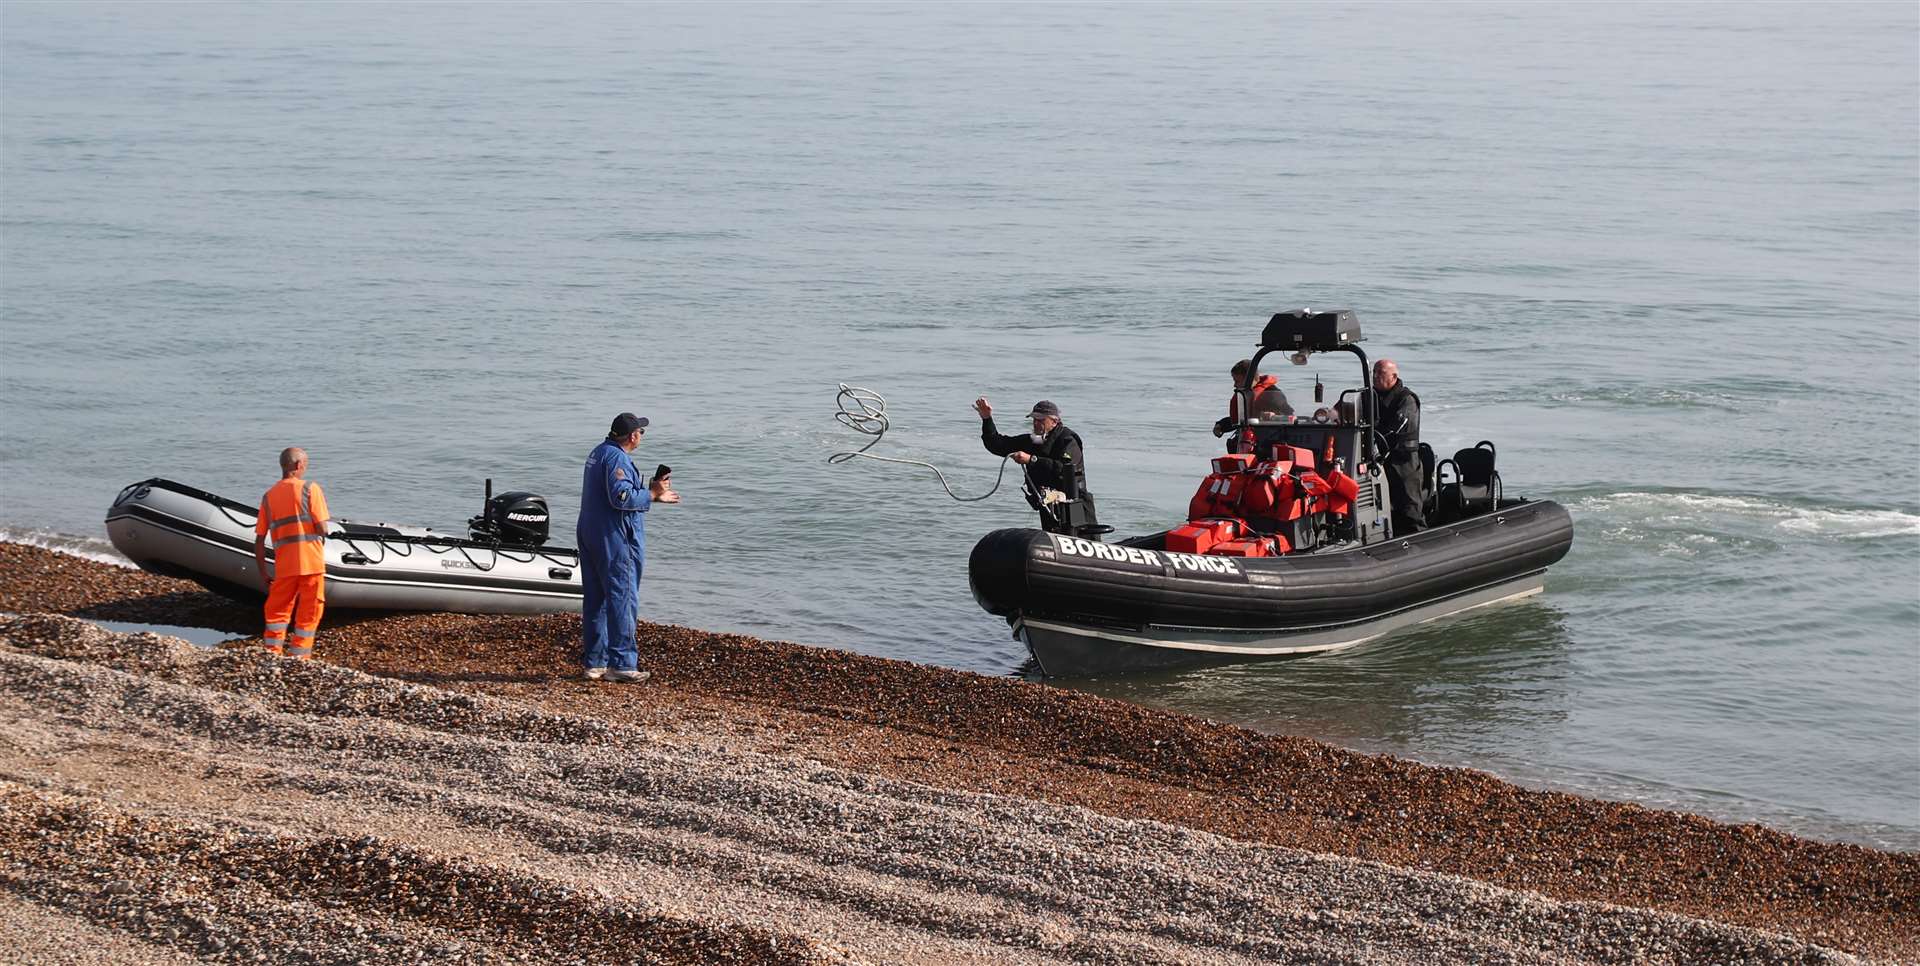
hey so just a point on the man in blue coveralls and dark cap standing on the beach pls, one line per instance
(613, 546)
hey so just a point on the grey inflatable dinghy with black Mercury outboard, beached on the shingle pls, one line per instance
(500, 568)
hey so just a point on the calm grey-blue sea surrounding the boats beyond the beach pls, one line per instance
(1666, 256)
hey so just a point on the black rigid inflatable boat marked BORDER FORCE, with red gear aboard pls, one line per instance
(1289, 546)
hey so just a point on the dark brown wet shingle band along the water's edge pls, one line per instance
(984, 735)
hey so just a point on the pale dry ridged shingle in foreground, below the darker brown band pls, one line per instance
(243, 808)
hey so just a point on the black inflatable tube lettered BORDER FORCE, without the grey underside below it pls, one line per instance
(1022, 573)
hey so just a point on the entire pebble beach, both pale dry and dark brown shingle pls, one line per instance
(444, 788)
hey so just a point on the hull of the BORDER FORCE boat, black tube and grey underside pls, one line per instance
(1088, 610)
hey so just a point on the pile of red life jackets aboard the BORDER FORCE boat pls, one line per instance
(1243, 502)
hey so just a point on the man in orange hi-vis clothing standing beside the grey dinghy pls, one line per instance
(295, 518)
